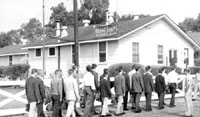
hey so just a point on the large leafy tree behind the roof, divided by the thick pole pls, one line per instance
(94, 10)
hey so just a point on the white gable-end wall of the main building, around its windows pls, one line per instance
(159, 33)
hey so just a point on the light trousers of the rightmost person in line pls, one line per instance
(188, 103)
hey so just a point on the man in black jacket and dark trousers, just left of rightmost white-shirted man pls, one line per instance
(160, 88)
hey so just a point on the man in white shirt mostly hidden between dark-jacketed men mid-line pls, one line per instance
(130, 78)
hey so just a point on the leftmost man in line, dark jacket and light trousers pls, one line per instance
(32, 93)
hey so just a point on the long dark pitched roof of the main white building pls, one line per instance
(88, 33)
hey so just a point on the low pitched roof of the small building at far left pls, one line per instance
(12, 50)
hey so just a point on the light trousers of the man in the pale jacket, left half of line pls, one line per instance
(70, 109)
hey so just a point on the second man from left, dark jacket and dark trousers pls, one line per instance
(41, 95)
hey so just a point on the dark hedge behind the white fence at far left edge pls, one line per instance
(14, 71)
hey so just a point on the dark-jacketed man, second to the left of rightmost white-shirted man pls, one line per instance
(148, 87)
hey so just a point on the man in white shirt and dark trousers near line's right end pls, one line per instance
(172, 85)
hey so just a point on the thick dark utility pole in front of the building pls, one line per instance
(76, 43)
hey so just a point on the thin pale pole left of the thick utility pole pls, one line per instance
(43, 36)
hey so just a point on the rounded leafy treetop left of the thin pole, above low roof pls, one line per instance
(32, 30)
